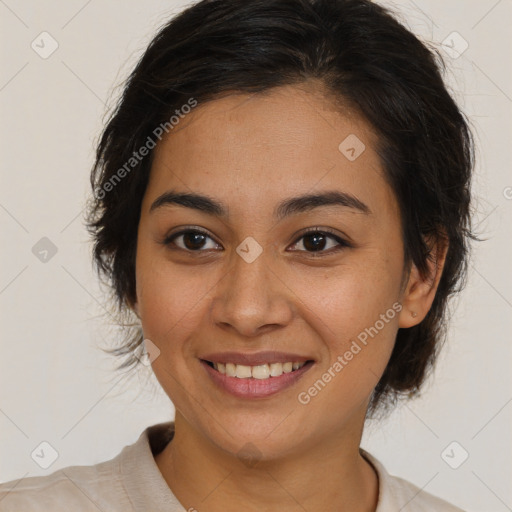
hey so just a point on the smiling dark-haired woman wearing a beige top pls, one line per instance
(282, 200)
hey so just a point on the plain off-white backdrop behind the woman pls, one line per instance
(57, 386)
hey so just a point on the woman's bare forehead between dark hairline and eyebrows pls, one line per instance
(255, 148)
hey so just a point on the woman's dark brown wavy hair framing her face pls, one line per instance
(360, 54)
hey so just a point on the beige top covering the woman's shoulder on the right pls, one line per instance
(395, 493)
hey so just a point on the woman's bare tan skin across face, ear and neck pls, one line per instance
(251, 152)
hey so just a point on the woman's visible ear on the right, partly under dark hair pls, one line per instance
(420, 291)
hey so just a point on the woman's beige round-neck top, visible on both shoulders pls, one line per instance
(132, 482)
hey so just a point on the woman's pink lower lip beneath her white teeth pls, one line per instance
(255, 388)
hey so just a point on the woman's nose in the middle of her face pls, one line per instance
(252, 299)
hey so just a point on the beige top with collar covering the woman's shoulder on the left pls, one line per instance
(130, 482)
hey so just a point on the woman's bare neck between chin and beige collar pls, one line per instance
(330, 476)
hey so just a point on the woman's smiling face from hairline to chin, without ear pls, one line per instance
(256, 284)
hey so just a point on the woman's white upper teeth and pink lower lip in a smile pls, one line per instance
(255, 381)
